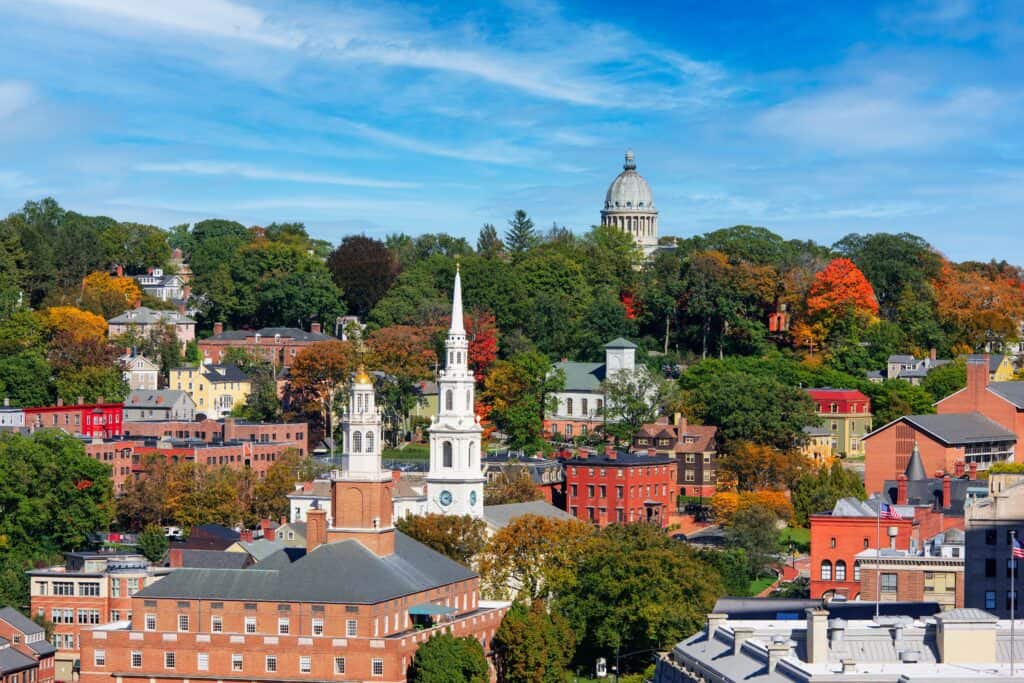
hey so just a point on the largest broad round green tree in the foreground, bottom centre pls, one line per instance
(635, 589)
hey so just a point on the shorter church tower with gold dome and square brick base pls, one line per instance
(361, 492)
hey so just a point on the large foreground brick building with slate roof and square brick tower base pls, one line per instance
(354, 606)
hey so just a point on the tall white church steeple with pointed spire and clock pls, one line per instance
(455, 483)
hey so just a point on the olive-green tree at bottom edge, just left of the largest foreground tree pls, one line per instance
(533, 646)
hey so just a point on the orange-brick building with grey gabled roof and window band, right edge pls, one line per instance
(948, 443)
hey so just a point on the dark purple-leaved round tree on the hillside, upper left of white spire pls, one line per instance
(364, 270)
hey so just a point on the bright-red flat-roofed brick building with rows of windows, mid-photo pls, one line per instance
(618, 487)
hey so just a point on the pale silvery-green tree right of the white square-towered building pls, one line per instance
(633, 399)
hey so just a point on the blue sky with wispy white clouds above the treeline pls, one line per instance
(812, 119)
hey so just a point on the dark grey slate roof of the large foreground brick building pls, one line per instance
(344, 573)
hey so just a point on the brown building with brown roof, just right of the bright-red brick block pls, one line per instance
(694, 448)
